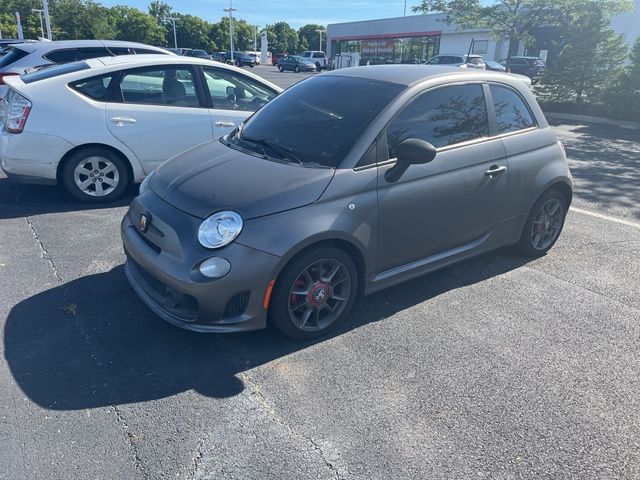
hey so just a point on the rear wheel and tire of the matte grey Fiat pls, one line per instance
(544, 225)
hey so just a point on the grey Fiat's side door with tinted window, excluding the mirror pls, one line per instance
(456, 199)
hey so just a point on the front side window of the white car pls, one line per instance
(233, 91)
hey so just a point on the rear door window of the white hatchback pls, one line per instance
(169, 85)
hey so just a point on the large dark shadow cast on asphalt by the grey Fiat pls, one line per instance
(92, 343)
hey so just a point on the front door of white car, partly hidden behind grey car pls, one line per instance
(234, 97)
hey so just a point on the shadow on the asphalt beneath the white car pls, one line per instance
(22, 200)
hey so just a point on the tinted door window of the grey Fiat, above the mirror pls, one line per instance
(444, 116)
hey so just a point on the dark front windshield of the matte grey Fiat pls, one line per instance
(317, 121)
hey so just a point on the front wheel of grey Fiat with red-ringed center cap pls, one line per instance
(282, 311)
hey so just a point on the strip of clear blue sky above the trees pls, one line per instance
(295, 12)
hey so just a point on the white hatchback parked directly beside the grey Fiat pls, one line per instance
(98, 125)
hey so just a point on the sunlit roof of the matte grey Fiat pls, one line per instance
(412, 74)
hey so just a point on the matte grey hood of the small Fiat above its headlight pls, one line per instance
(213, 177)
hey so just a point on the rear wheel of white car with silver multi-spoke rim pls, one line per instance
(112, 176)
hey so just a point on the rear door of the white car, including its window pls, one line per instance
(157, 113)
